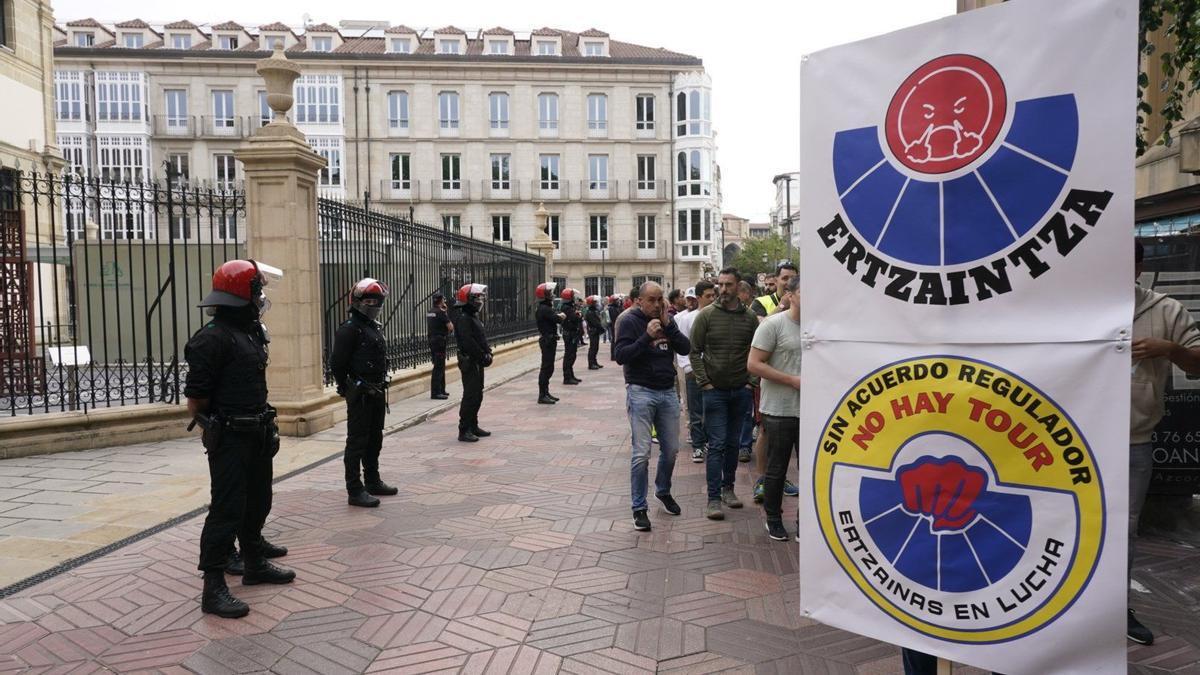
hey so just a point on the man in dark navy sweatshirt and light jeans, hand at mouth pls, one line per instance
(646, 344)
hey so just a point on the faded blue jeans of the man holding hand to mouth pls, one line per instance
(661, 409)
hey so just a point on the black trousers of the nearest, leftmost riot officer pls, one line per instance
(241, 499)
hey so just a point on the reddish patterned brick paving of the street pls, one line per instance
(512, 555)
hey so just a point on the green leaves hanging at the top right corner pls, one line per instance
(1180, 25)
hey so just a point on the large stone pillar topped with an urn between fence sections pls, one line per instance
(281, 230)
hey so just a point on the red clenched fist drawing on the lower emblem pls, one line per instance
(943, 489)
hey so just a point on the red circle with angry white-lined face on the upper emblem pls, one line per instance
(946, 115)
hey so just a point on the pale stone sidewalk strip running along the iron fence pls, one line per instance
(56, 509)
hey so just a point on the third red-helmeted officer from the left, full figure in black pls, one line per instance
(475, 355)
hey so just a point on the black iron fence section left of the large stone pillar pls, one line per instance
(99, 284)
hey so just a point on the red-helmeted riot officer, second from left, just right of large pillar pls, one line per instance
(359, 365)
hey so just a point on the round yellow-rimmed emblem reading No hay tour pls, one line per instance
(962, 500)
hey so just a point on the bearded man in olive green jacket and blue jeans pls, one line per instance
(721, 347)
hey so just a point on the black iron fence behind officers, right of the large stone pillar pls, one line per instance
(417, 261)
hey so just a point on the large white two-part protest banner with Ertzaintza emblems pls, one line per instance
(968, 277)
